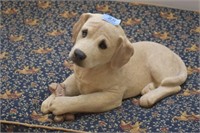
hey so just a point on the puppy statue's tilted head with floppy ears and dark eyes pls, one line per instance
(98, 42)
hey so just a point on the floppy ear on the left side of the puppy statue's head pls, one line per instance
(77, 26)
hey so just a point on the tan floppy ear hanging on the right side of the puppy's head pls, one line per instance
(122, 53)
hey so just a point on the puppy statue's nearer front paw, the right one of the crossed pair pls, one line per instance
(57, 106)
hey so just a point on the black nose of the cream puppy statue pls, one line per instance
(78, 56)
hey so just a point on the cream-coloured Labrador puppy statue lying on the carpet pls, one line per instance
(108, 68)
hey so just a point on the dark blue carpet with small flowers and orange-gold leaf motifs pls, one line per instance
(35, 42)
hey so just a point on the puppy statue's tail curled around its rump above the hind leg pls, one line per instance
(179, 78)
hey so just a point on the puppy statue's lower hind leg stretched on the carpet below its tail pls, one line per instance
(155, 95)
